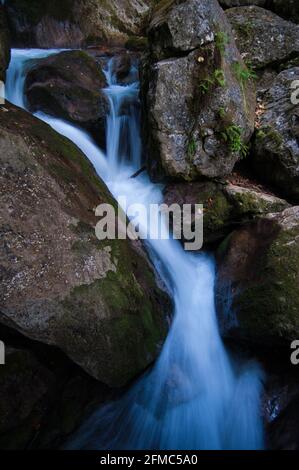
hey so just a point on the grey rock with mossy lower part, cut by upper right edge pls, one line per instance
(276, 149)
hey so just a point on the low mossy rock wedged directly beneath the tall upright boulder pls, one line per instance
(225, 205)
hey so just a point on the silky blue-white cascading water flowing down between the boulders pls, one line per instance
(196, 396)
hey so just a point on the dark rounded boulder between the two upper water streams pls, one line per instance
(69, 85)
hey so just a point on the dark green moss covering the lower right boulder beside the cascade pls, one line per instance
(270, 307)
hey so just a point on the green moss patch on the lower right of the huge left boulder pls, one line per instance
(128, 321)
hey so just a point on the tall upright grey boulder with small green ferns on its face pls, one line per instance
(194, 97)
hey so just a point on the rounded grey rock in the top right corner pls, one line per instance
(263, 38)
